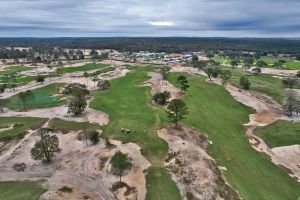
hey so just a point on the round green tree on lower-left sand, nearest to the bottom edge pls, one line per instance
(120, 163)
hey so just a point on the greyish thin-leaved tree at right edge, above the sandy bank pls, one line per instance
(291, 104)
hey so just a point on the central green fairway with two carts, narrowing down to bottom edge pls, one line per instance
(129, 106)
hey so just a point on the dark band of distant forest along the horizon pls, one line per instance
(291, 46)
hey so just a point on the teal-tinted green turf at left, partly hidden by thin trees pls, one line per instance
(42, 97)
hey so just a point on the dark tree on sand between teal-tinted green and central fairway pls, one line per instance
(77, 102)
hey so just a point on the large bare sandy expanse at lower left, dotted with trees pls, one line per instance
(78, 165)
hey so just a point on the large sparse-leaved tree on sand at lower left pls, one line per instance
(45, 148)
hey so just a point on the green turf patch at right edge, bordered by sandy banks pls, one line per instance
(280, 133)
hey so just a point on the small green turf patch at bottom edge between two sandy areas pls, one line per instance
(157, 177)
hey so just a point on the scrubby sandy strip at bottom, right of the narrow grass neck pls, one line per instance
(194, 171)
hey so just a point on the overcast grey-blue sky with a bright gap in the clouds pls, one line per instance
(108, 18)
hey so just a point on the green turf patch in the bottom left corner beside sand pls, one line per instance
(27, 190)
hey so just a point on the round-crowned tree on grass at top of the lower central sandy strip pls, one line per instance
(176, 111)
